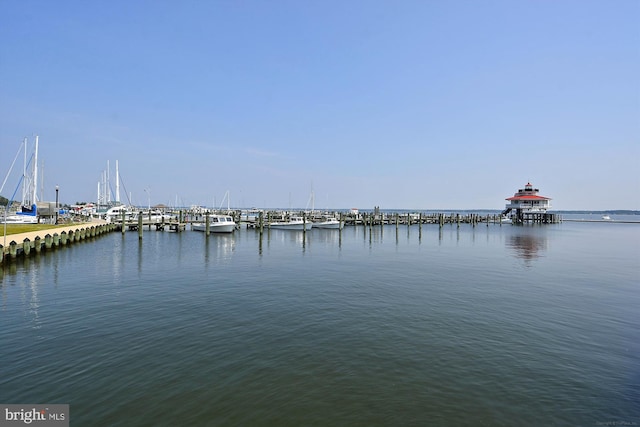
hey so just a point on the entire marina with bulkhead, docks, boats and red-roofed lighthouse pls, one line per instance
(525, 207)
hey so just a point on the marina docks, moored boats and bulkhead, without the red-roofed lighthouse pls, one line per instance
(123, 220)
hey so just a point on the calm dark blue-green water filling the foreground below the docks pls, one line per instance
(496, 326)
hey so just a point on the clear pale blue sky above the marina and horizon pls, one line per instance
(398, 104)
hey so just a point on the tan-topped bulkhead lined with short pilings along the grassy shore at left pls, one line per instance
(50, 239)
